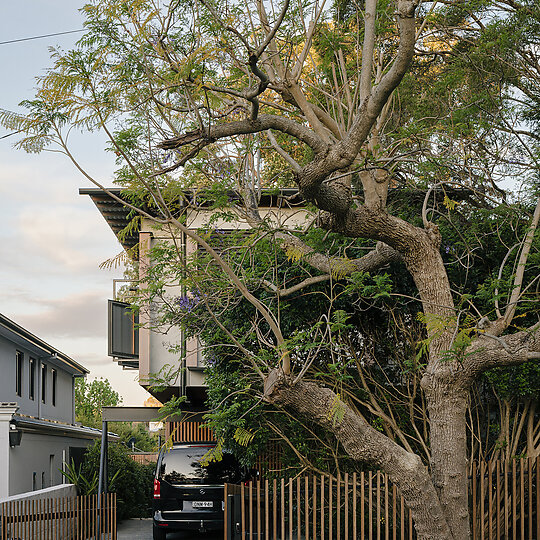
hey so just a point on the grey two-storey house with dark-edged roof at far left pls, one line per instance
(38, 433)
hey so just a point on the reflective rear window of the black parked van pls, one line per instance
(183, 466)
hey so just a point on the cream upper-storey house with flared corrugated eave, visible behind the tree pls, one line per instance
(138, 344)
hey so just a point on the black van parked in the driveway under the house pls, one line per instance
(189, 490)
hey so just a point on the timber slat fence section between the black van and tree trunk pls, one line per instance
(363, 505)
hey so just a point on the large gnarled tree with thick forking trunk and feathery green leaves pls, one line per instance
(346, 102)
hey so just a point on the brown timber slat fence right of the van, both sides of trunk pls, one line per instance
(504, 498)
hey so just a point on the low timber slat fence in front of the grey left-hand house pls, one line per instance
(74, 518)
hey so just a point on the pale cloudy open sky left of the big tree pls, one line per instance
(52, 239)
